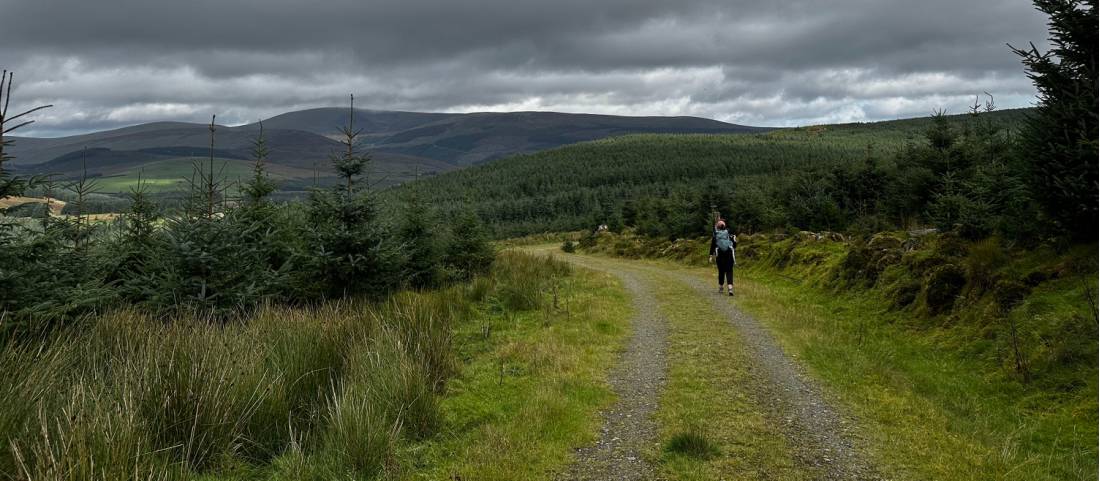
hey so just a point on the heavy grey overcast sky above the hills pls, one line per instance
(114, 63)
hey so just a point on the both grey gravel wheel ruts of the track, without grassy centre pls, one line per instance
(822, 439)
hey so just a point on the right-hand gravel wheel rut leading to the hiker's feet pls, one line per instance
(821, 438)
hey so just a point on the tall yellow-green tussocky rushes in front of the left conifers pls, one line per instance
(325, 392)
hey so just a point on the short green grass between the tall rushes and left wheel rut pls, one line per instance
(531, 387)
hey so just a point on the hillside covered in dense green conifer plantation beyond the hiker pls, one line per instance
(579, 187)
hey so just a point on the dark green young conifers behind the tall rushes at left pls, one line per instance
(225, 249)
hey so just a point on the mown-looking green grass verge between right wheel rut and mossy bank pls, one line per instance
(928, 412)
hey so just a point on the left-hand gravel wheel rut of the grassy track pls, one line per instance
(629, 427)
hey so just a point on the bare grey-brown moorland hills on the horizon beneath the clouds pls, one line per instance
(403, 145)
